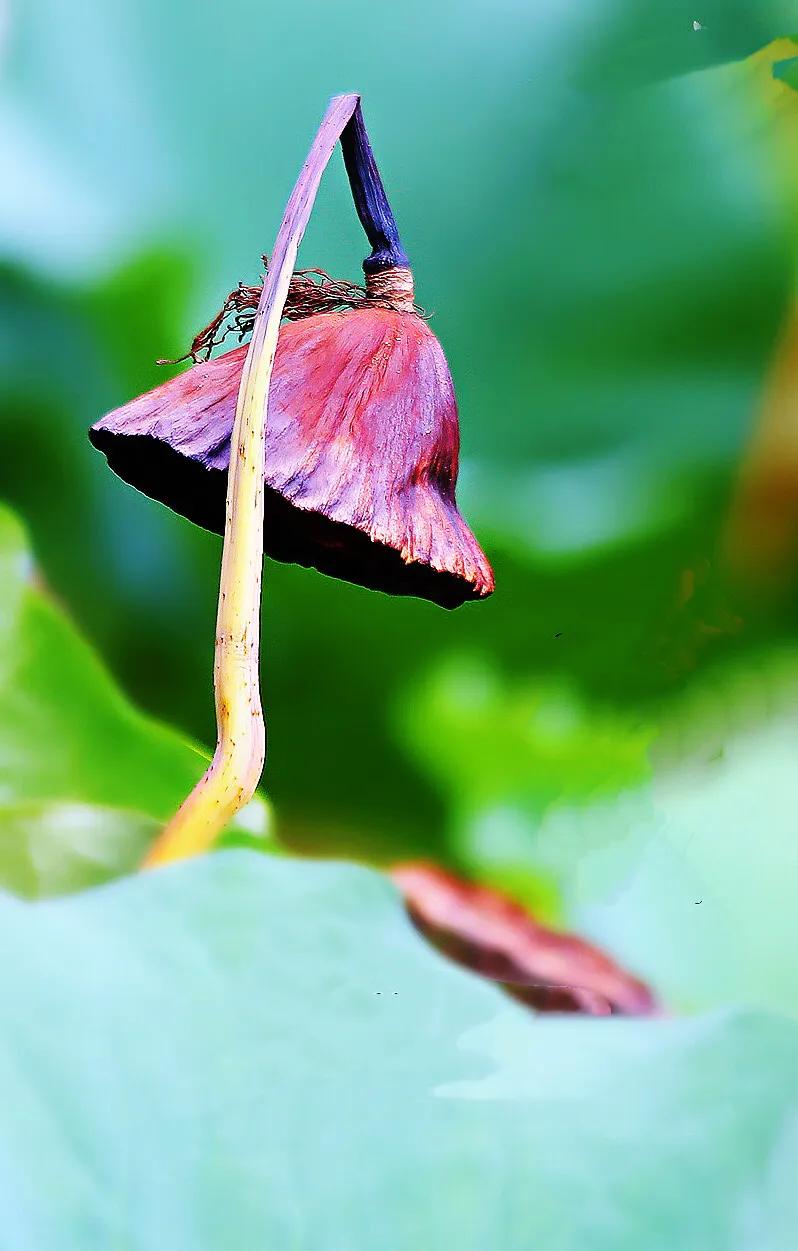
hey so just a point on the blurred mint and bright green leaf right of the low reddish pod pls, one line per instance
(680, 856)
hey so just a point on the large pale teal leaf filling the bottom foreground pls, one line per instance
(253, 1053)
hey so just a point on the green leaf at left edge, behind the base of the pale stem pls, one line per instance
(86, 780)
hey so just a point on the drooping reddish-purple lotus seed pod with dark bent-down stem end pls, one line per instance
(362, 436)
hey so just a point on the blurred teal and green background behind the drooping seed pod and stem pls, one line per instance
(600, 203)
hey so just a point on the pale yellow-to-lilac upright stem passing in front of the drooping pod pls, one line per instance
(236, 770)
